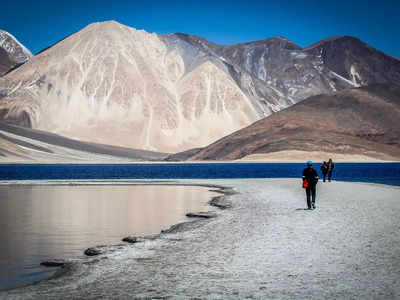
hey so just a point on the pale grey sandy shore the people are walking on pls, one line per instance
(265, 247)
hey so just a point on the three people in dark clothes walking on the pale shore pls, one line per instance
(310, 180)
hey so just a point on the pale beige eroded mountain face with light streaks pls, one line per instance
(116, 85)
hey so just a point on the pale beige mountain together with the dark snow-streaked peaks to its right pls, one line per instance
(113, 84)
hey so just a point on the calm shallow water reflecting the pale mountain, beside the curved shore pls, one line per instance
(46, 222)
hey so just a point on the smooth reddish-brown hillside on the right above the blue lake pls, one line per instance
(360, 121)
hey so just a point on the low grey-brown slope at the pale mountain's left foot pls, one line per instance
(19, 144)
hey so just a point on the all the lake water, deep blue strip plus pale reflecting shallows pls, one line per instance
(45, 222)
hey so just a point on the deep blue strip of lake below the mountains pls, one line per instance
(387, 173)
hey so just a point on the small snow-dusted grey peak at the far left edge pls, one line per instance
(12, 52)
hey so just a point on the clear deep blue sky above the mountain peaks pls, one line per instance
(38, 24)
